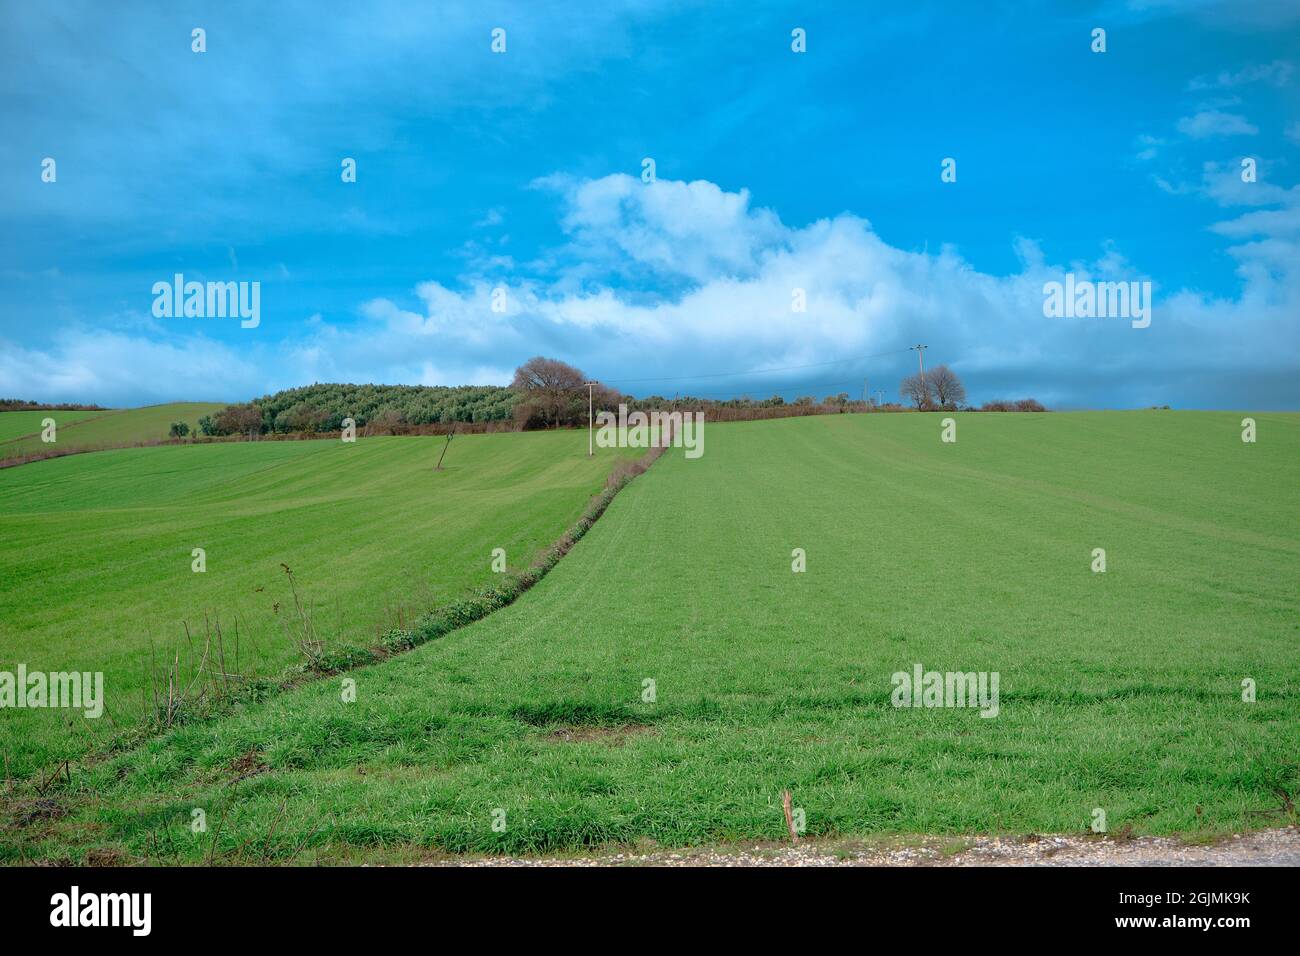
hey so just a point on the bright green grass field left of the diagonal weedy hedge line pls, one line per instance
(97, 569)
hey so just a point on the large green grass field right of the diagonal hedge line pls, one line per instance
(1119, 690)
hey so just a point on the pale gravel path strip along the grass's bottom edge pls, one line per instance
(1260, 849)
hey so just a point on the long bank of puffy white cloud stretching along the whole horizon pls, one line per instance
(730, 271)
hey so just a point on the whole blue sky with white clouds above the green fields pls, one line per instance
(522, 171)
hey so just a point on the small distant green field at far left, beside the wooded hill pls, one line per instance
(88, 431)
